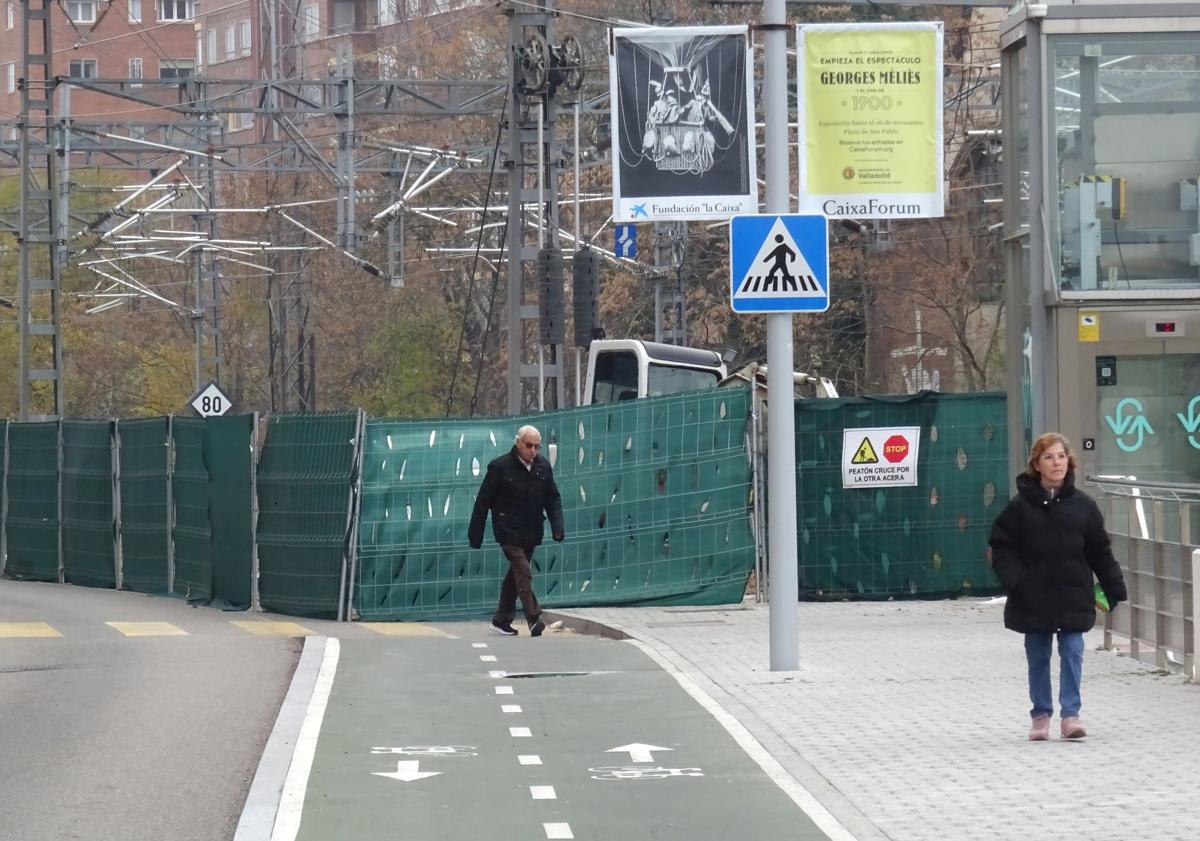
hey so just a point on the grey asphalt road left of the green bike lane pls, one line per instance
(137, 738)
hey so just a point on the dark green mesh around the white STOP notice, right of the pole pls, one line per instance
(929, 540)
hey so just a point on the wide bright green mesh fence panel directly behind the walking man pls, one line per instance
(655, 502)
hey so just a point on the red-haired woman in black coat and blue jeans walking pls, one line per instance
(1046, 546)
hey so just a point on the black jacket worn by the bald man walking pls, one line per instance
(517, 497)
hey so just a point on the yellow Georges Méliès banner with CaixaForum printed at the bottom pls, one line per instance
(873, 119)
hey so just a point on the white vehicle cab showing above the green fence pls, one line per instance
(628, 369)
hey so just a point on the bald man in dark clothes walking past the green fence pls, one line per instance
(518, 489)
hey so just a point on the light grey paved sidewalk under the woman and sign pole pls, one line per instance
(909, 720)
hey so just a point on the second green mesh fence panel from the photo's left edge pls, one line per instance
(88, 522)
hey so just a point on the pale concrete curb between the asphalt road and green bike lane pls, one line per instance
(257, 821)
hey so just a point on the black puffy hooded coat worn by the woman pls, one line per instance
(1045, 551)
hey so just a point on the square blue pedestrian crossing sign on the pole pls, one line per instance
(779, 263)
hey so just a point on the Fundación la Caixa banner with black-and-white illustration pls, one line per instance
(682, 124)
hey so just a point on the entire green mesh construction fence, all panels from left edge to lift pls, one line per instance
(333, 516)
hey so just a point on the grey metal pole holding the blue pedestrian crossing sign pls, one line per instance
(782, 429)
